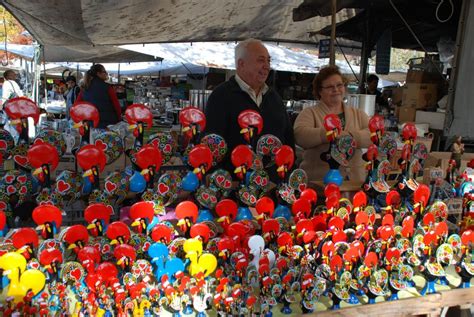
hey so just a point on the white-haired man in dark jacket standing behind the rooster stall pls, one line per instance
(247, 90)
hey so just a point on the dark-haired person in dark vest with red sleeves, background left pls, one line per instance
(95, 90)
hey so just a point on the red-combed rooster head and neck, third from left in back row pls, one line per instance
(137, 115)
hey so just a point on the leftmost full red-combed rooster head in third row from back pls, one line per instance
(49, 219)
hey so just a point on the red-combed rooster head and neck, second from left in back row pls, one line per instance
(85, 117)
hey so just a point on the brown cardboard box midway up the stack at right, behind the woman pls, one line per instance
(420, 95)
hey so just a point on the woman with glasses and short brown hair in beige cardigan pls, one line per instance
(329, 86)
